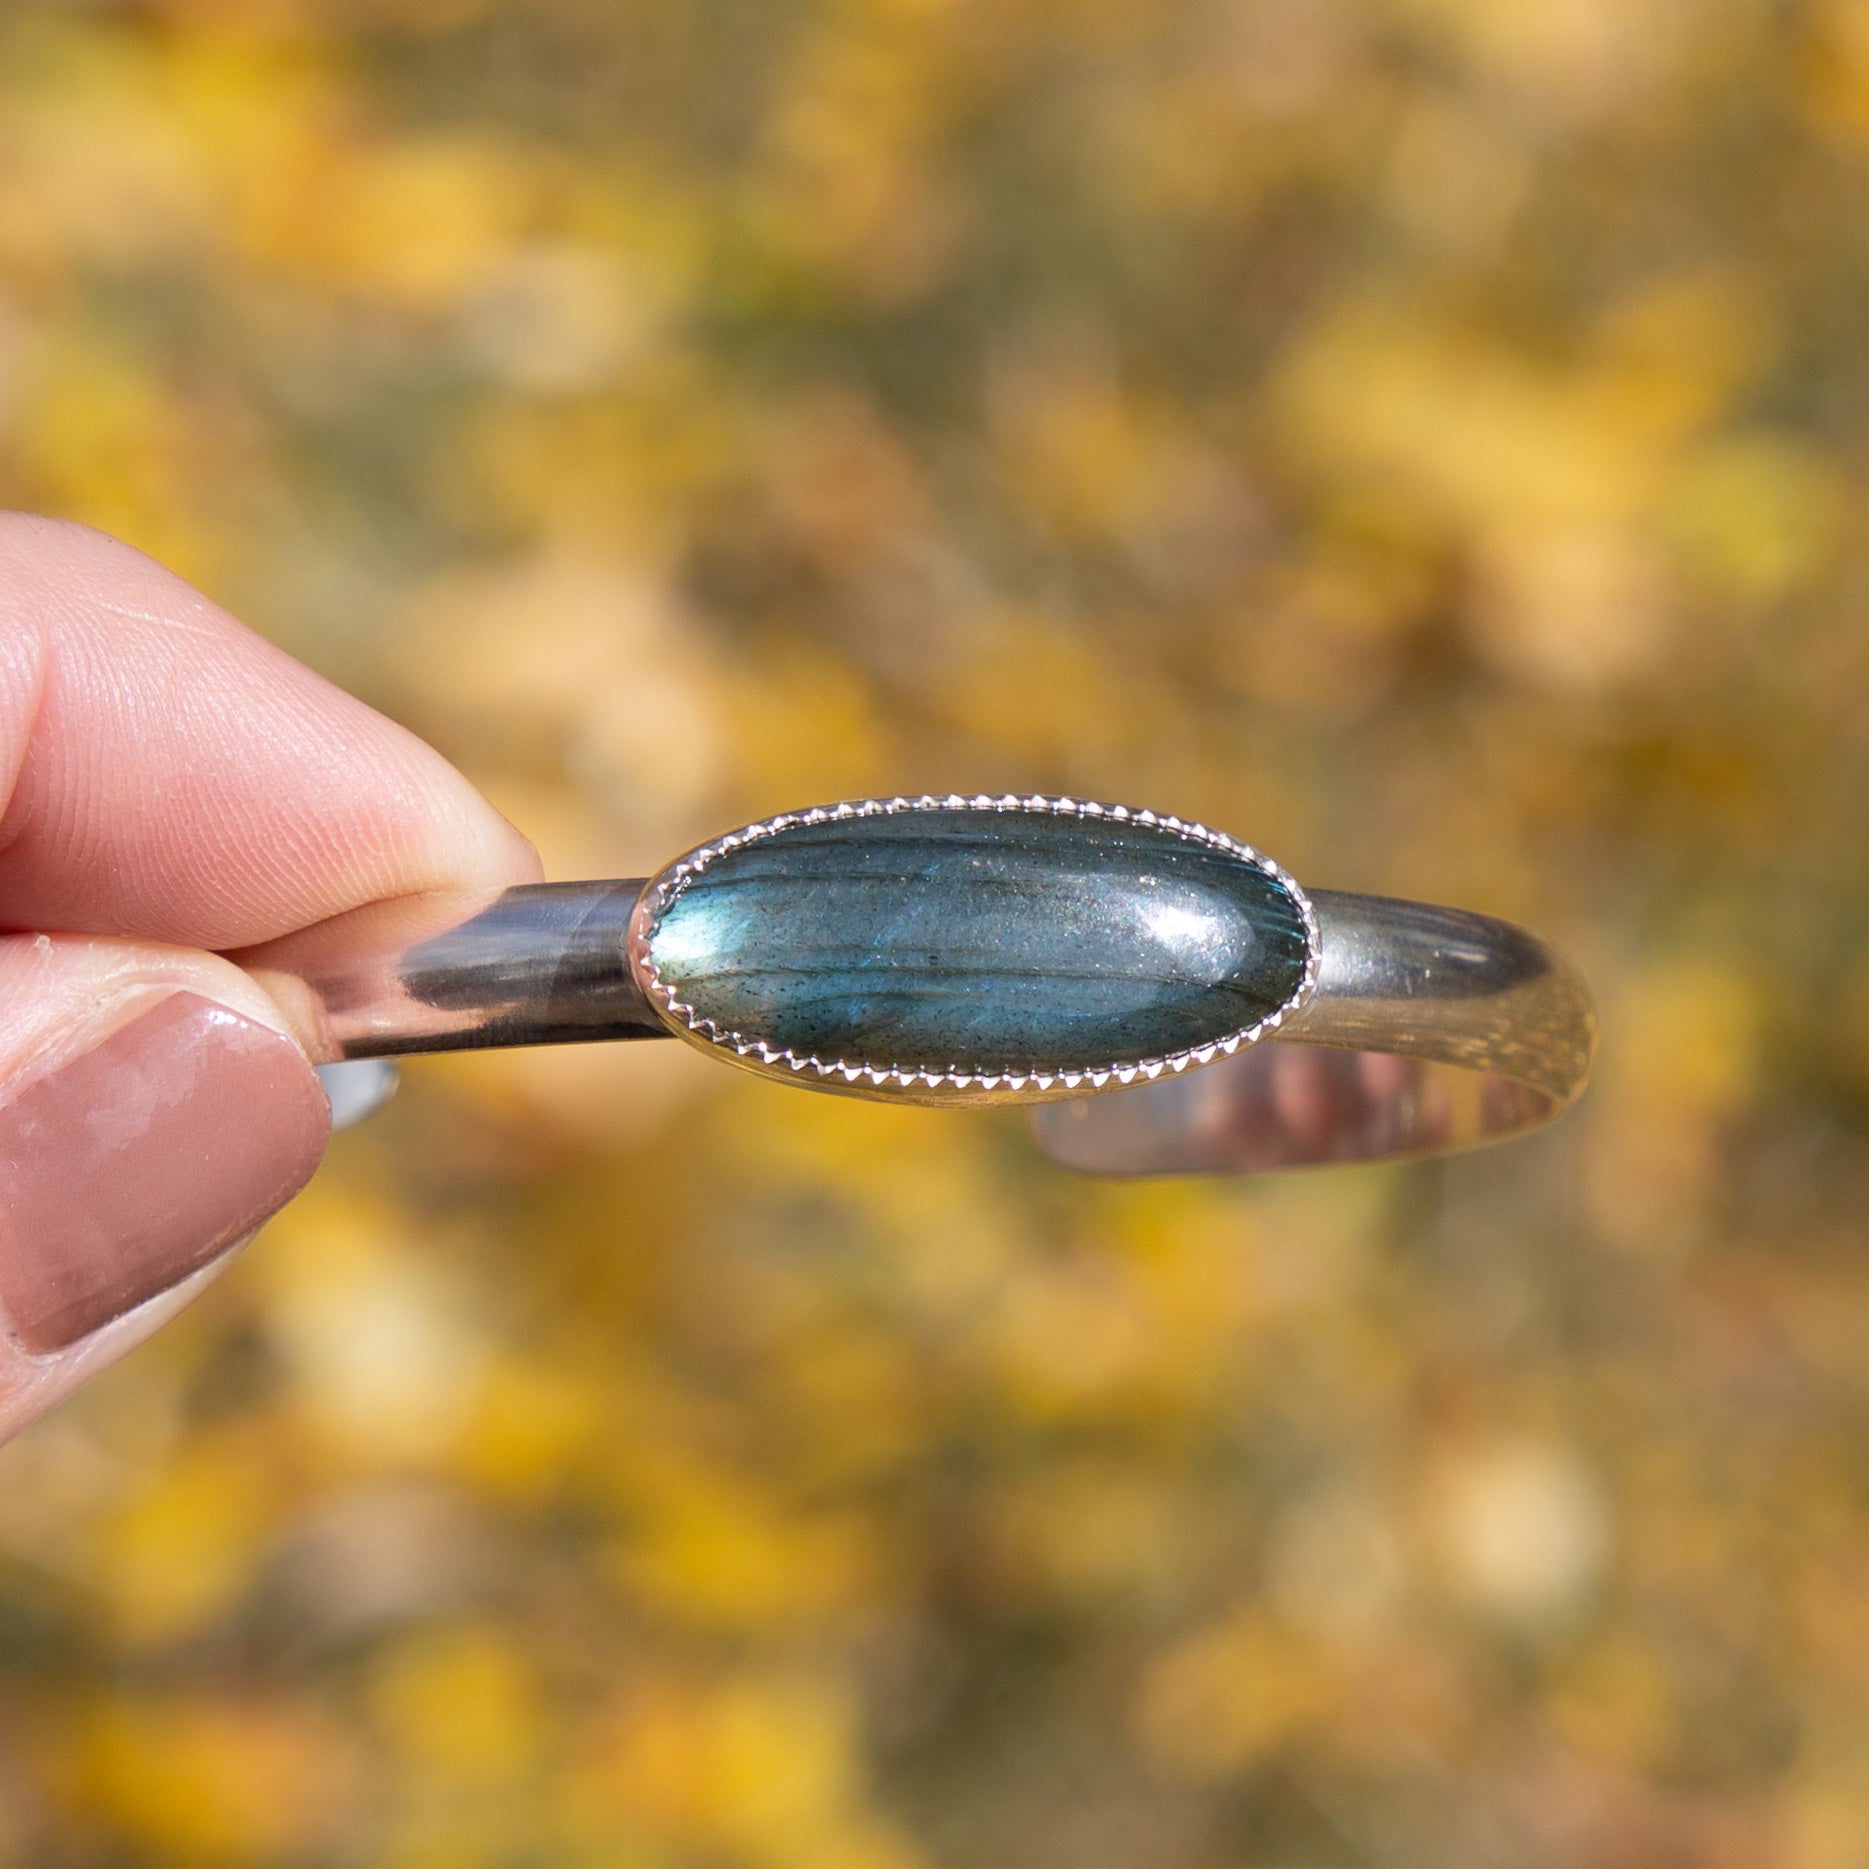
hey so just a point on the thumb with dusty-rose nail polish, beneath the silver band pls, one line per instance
(154, 1111)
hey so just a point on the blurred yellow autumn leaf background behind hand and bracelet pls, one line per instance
(1423, 436)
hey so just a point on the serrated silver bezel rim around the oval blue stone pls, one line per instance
(892, 1081)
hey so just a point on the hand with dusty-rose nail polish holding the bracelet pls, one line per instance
(173, 790)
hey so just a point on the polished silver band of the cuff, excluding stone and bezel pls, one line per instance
(1427, 1031)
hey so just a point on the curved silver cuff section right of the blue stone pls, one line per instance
(1431, 1031)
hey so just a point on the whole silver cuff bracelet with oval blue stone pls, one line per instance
(1171, 999)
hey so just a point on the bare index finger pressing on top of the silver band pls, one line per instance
(173, 777)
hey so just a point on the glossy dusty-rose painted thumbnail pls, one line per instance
(143, 1158)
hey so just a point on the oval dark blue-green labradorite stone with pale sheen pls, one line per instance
(993, 941)
